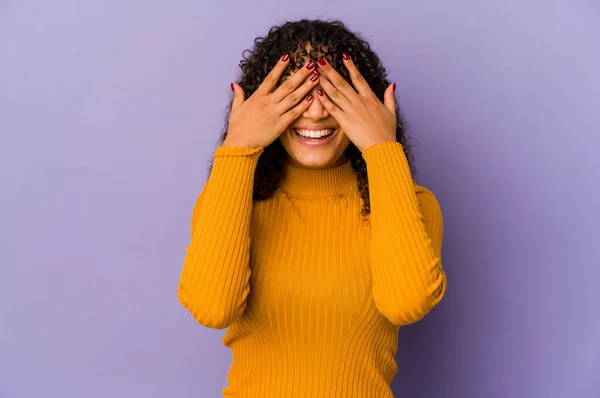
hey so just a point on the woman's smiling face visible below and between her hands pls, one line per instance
(314, 153)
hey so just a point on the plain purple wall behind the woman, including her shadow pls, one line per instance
(109, 113)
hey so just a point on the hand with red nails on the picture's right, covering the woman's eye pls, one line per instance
(365, 120)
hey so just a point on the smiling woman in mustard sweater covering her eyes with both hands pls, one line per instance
(310, 240)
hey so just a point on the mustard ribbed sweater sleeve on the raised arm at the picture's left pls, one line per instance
(214, 282)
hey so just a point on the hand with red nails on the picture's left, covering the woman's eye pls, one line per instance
(260, 120)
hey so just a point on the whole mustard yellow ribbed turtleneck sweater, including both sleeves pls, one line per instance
(312, 295)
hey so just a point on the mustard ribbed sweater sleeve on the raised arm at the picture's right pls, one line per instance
(406, 237)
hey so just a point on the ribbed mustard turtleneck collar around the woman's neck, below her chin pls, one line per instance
(307, 182)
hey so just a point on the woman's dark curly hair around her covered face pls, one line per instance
(328, 39)
